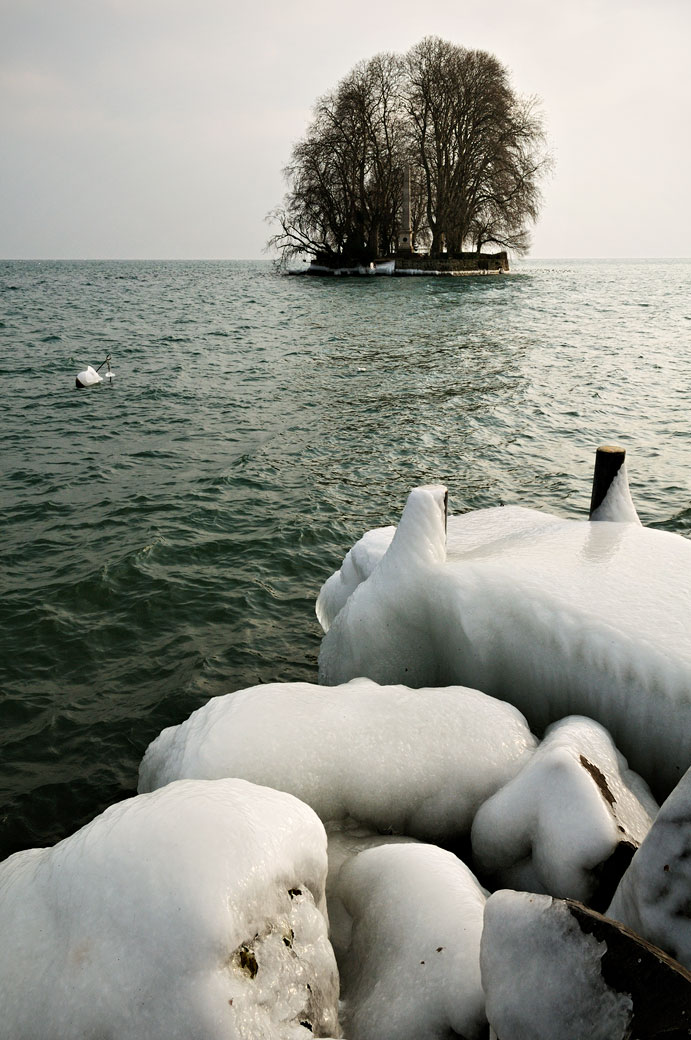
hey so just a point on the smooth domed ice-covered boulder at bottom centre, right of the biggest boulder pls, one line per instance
(413, 968)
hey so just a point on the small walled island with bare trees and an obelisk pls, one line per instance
(416, 165)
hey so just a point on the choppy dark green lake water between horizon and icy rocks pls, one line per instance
(164, 539)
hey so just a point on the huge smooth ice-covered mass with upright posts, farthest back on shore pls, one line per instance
(559, 617)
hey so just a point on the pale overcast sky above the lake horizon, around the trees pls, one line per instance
(155, 129)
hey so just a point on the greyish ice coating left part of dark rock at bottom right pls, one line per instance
(542, 974)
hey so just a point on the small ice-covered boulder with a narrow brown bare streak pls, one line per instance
(570, 822)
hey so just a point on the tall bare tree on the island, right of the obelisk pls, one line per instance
(481, 147)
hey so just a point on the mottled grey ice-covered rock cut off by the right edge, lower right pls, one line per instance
(654, 898)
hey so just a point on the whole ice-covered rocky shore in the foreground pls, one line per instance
(395, 854)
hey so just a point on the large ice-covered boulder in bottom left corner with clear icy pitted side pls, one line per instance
(196, 912)
